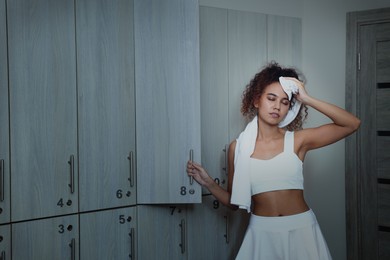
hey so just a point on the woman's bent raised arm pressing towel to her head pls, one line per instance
(344, 124)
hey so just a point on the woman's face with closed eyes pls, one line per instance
(273, 104)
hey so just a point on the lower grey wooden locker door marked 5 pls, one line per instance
(109, 234)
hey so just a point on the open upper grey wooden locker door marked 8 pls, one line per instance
(168, 99)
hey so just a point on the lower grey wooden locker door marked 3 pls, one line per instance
(52, 238)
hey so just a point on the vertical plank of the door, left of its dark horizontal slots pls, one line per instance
(368, 151)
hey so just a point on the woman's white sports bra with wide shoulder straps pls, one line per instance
(282, 172)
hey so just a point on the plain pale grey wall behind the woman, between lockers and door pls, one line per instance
(324, 41)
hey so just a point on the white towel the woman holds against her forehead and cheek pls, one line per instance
(290, 88)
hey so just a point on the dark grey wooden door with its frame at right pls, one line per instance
(368, 181)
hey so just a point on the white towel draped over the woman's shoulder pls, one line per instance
(241, 190)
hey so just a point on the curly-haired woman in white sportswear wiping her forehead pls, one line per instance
(265, 166)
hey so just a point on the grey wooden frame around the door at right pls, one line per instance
(352, 145)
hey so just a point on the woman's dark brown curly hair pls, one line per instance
(268, 75)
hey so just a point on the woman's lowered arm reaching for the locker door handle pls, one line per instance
(203, 178)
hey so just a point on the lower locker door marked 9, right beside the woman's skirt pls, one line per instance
(216, 229)
